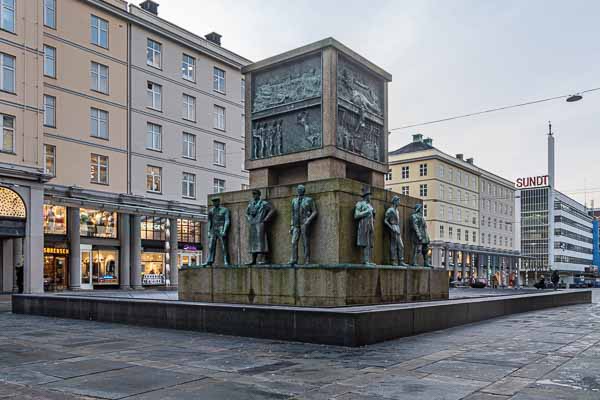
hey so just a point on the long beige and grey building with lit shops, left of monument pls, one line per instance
(122, 169)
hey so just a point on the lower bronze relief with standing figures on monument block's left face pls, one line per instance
(287, 133)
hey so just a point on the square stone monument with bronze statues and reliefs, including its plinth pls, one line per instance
(316, 148)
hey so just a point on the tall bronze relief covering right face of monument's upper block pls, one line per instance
(360, 119)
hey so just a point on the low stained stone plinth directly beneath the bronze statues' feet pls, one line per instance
(312, 285)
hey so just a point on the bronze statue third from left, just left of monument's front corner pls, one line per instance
(304, 211)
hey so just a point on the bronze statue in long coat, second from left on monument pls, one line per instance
(258, 214)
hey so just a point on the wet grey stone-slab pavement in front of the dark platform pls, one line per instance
(549, 354)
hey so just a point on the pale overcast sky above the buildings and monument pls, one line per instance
(450, 57)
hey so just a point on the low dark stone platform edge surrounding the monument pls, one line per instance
(344, 326)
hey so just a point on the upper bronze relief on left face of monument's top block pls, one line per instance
(287, 84)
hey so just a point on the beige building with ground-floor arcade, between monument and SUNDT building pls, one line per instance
(452, 192)
